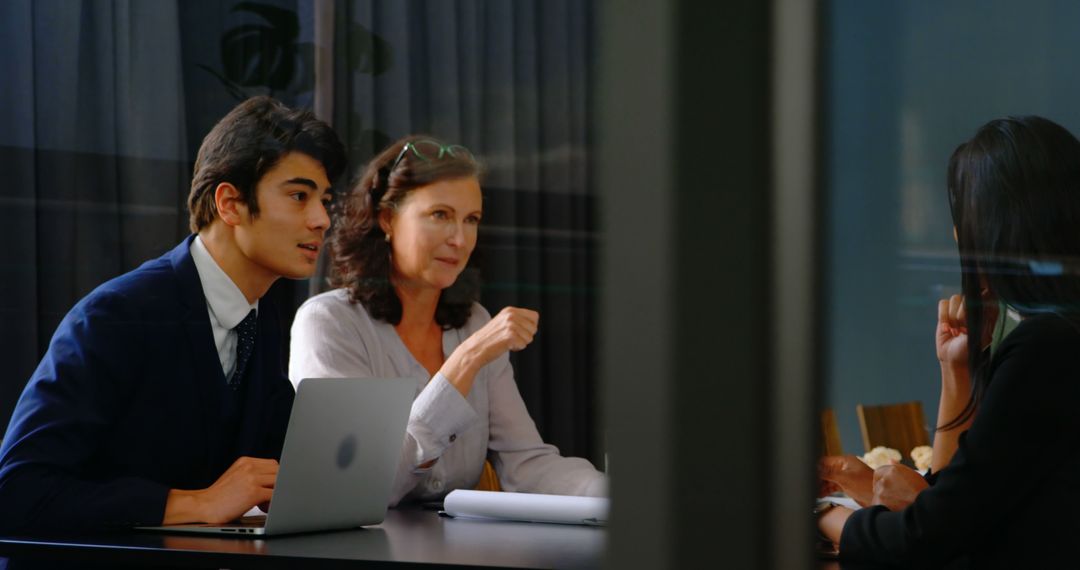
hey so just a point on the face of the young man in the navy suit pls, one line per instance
(285, 239)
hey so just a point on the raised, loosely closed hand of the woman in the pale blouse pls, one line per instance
(512, 330)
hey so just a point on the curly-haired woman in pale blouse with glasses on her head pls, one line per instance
(399, 248)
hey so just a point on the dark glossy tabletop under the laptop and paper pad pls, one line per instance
(409, 538)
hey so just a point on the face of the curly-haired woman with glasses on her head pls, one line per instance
(434, 233)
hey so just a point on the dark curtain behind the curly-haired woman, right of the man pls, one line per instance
(512, 82)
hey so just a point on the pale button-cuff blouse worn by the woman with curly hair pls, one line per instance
(333, 338)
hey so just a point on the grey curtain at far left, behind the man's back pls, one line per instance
(93, 152)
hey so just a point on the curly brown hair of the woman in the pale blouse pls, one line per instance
(358, 247)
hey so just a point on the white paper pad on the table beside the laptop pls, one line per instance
(530, 508)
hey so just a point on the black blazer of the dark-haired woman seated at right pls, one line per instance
(1011, 494)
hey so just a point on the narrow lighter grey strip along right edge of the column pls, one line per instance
(796, 211)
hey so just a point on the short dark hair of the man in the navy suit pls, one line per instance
(249, 142)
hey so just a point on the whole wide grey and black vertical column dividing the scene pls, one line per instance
(694, 322)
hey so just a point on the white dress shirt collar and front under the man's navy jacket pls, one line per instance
(225, 303)
